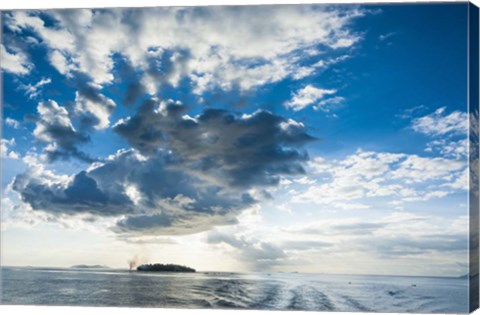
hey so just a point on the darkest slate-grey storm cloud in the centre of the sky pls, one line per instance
(251, 150)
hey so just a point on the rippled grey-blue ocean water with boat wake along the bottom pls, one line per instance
(273, 291)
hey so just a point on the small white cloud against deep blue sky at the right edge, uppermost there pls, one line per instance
(439, 123)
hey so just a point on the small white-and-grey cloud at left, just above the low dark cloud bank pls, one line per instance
(54, 126)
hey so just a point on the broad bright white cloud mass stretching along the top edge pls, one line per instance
(246, 47)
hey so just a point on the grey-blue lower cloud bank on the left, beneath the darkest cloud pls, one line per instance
(170, 201)
